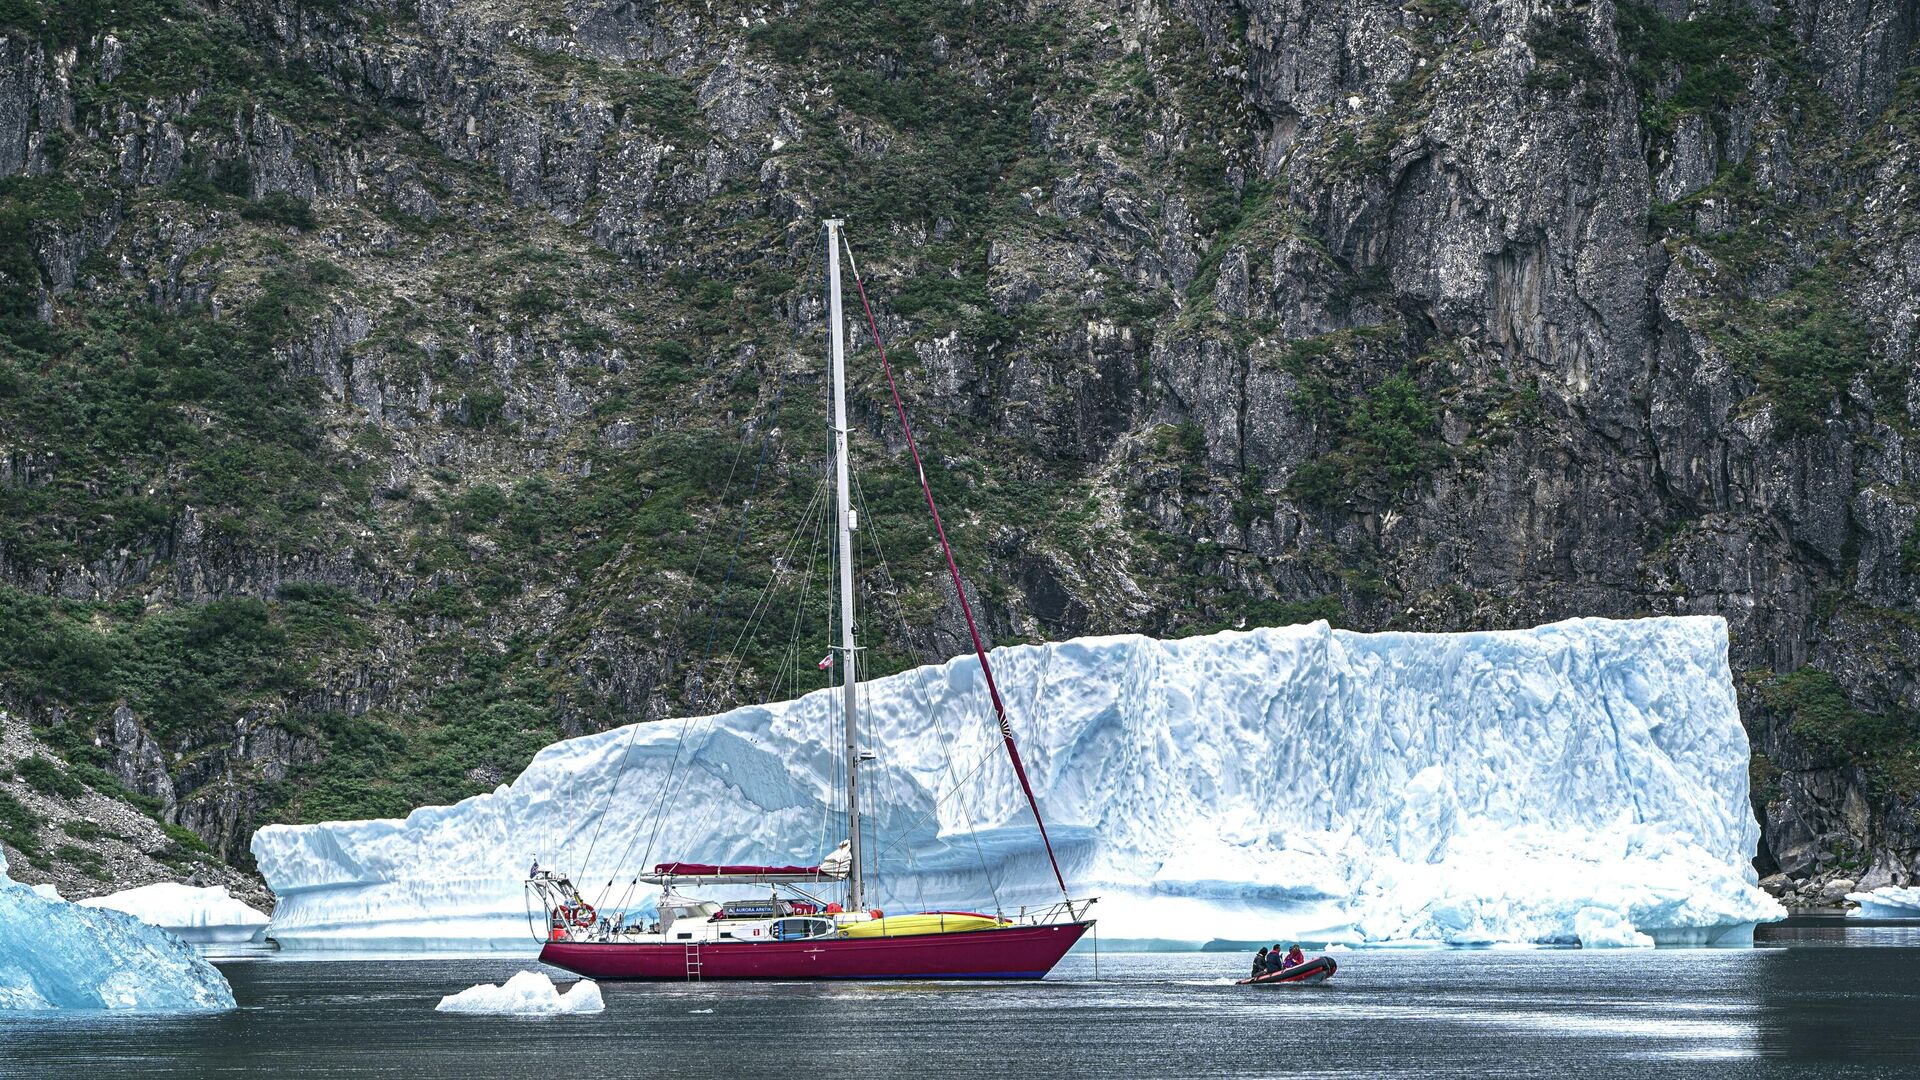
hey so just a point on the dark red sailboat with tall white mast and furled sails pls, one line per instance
(815, 921)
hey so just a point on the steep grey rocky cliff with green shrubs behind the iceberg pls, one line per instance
(391, 389)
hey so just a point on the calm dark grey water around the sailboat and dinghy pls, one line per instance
(1819, 1002)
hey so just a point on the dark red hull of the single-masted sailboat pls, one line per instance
(1017, 952)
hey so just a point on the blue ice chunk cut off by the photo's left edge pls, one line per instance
(64, 956)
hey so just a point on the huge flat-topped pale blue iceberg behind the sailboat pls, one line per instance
(1579, 779)
